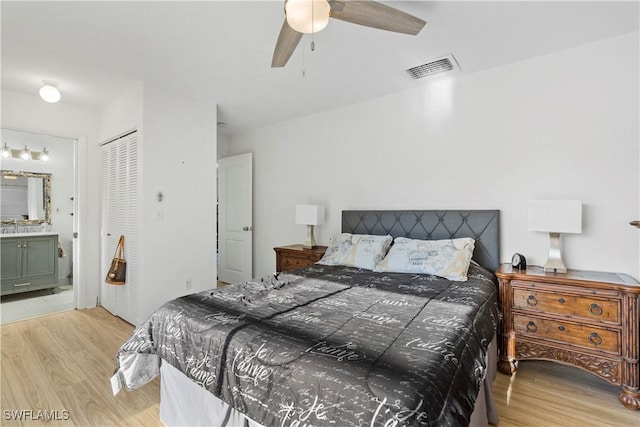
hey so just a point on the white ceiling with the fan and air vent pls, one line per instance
(220, 51)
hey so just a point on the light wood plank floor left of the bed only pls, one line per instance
(63, 362)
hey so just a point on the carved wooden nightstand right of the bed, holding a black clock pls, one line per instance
(588, 319)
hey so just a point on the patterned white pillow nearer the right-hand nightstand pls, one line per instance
(445, 258)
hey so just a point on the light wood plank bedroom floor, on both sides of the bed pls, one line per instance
(63, 362)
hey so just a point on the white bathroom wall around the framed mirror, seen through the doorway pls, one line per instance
(62, 184)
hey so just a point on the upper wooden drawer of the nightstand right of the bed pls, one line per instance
(575, 306)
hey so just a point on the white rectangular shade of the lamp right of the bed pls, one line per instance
(555, 216)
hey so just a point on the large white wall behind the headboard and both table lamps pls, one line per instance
(560, 126)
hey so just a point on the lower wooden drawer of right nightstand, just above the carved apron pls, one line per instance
(585, 336)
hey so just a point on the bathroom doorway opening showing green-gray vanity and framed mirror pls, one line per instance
(36, 294)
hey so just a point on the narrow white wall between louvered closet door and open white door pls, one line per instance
(179, 161)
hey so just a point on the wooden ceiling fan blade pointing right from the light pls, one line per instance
(376, 15)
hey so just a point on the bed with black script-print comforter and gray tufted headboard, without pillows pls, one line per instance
(333, 345)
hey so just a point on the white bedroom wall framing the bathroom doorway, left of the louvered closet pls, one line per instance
(30, 113)
